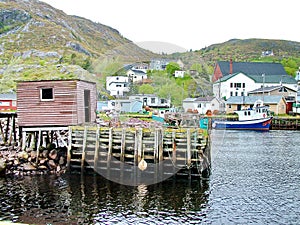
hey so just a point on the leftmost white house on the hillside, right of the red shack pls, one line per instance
(117, 85)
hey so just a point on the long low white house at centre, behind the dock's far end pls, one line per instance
(152, 100)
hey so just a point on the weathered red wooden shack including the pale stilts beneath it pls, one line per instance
(47, 108)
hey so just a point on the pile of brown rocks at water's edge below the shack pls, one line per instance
(18, 162)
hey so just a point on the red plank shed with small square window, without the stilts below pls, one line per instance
(56, 103)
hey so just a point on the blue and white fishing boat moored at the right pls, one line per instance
(256, 118)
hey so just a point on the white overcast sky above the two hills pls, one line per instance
(189, 24)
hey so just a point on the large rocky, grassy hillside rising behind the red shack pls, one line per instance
(38, 41)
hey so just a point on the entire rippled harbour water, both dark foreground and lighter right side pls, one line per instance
(255, 180)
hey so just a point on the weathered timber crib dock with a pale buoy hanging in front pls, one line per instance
(139, 152)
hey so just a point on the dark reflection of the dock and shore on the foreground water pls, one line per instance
(91, 199)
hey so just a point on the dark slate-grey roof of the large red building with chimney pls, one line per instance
(252, 68)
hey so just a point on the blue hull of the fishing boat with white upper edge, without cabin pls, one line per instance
(259, 124)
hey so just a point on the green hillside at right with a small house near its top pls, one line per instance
(285, 52)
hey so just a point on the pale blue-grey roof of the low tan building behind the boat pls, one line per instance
(250, 100)
